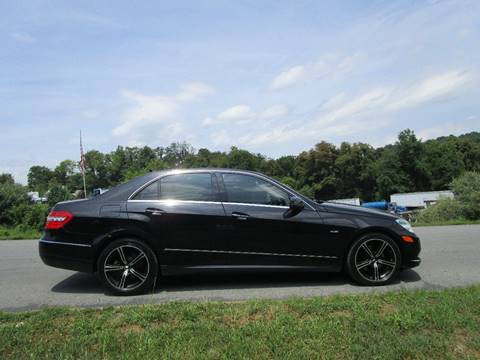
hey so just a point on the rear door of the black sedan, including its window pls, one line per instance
(183, 214)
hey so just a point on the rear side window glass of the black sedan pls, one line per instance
(194, 187)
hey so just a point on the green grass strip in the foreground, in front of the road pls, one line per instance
(421, 324)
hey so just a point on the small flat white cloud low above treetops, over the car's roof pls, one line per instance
(242, 114)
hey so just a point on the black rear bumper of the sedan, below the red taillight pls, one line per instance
(65, 255)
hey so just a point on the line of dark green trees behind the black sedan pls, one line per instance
(324, 172)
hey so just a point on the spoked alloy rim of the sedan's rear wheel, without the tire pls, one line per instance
(126, 267)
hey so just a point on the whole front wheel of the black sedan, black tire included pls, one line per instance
(373, 260)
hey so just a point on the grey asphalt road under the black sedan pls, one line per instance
(450, 257)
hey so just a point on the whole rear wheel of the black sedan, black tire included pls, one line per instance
(128, 267)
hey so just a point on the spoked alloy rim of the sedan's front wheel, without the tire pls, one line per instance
(375, 260)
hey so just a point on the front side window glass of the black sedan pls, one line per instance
(253, 190)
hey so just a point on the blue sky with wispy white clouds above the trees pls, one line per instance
(274, 77)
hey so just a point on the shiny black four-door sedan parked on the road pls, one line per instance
(179, 221)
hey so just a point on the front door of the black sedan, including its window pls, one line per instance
(261, 233)
